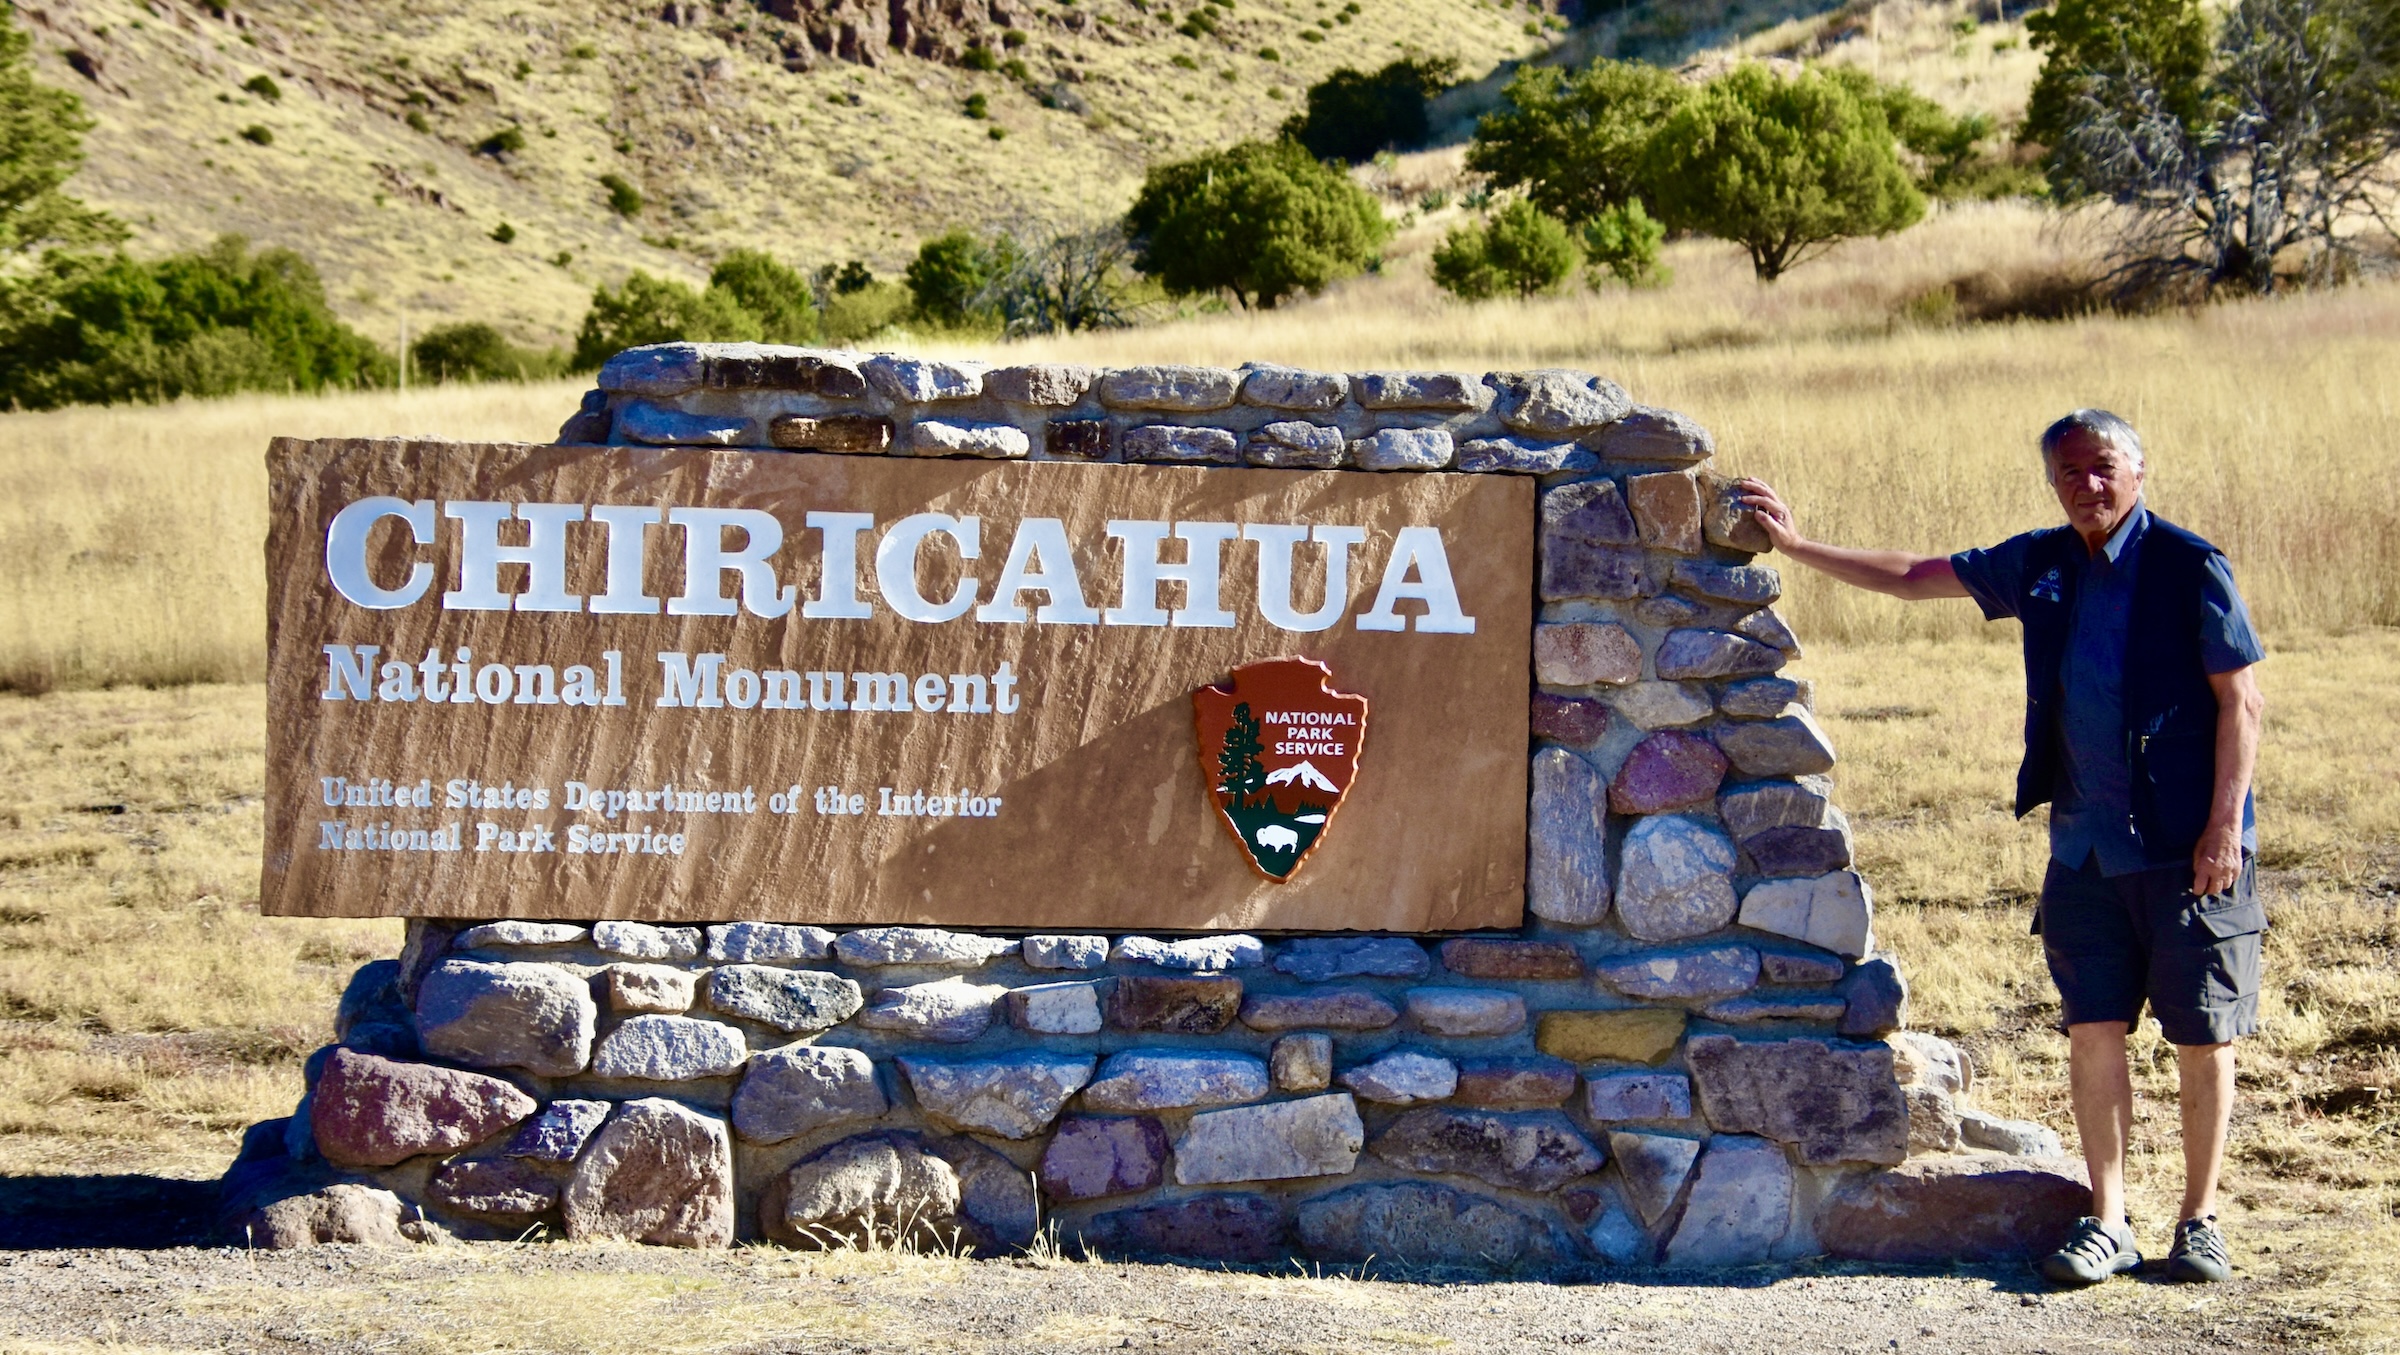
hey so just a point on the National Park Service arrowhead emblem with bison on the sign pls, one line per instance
(1280, 749)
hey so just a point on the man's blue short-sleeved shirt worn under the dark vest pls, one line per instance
(2094, 807)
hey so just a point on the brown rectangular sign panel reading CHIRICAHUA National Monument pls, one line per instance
(712, 685)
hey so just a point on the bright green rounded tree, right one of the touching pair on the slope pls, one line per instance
(1782, 167)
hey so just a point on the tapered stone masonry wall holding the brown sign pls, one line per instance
(1688, 1056)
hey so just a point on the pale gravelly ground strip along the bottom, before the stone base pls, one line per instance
(157, 1291)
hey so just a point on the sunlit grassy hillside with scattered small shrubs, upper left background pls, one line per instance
(704, 114)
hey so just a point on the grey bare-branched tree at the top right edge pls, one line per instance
(2272, 162)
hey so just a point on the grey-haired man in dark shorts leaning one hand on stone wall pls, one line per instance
(2142, 728)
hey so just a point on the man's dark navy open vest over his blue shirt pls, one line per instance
(2171, 713)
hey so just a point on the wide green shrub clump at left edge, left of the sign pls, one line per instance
(220, 320)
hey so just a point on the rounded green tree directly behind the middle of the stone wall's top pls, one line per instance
(1261, 219)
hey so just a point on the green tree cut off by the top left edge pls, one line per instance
(42, 145)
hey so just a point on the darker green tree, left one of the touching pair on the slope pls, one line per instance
(1576, 145)
